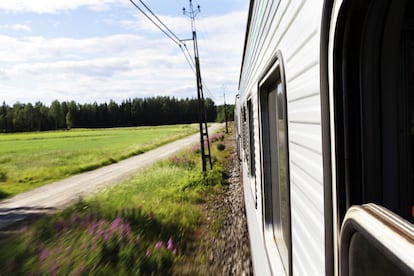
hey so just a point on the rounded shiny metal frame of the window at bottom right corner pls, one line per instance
(384, 231)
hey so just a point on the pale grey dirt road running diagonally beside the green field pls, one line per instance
(55, 196)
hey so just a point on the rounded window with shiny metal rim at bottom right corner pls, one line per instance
(375, 241)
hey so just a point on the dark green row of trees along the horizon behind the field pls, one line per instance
(136, 112)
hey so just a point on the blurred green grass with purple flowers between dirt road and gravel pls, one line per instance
(142, 226)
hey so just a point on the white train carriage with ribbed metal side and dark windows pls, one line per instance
(324, 120)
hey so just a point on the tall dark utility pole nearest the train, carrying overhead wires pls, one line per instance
(202, 116)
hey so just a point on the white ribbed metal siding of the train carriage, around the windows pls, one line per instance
(293, 28)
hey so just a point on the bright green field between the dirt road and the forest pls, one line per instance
(29, 160)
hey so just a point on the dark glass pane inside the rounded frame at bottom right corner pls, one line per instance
(366, 259)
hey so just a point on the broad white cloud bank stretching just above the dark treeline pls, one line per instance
(120, 66)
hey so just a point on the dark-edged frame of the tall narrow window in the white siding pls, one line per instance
(277, 236)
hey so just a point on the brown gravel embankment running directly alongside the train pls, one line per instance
(221, 246)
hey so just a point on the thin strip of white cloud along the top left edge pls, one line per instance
(54, 6)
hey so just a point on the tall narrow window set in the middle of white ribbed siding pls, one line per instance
(276, 188)
